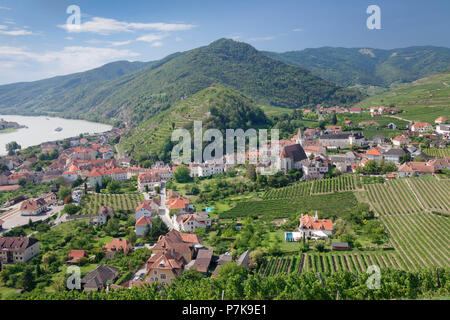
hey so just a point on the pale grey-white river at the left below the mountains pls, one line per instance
(42, 129)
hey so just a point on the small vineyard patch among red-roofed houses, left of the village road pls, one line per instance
(91, 203)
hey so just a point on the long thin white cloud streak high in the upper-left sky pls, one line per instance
(107, 26)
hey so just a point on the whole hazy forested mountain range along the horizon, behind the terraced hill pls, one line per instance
(136, 91)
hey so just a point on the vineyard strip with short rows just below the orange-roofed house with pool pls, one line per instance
(328, 263)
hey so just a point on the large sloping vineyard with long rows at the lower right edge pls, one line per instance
(414, 213)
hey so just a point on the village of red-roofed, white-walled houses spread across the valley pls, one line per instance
(82, 168)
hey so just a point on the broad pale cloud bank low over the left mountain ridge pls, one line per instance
(68, 60)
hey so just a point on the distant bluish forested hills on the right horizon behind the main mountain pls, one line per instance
(365, 66)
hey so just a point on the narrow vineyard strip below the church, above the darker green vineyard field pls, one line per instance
(321, 186)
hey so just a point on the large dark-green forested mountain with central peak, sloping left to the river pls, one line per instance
(139, 95)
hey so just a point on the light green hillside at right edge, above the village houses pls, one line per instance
(422, 100)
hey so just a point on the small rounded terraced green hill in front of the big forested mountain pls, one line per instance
(216, 106)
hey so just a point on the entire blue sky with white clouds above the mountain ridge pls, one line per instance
(36, 43)
